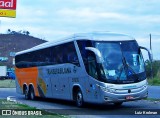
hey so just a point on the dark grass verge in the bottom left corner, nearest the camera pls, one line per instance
(4, 105)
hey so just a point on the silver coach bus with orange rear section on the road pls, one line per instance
(90, 67)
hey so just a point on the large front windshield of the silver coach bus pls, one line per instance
(122, 62)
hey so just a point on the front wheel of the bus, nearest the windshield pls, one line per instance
(79, 98)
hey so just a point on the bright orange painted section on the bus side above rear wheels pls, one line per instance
(27, 76)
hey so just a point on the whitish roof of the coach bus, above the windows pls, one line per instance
(102, 36)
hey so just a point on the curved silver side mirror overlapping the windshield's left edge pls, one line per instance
(99, 58)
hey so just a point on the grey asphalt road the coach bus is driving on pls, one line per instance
(94, 110)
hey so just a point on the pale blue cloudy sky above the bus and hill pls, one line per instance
(55, 19)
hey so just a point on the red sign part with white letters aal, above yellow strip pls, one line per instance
(8, 4)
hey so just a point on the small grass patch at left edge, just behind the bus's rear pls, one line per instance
(8, 83)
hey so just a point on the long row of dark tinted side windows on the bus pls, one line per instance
(65, 53)
